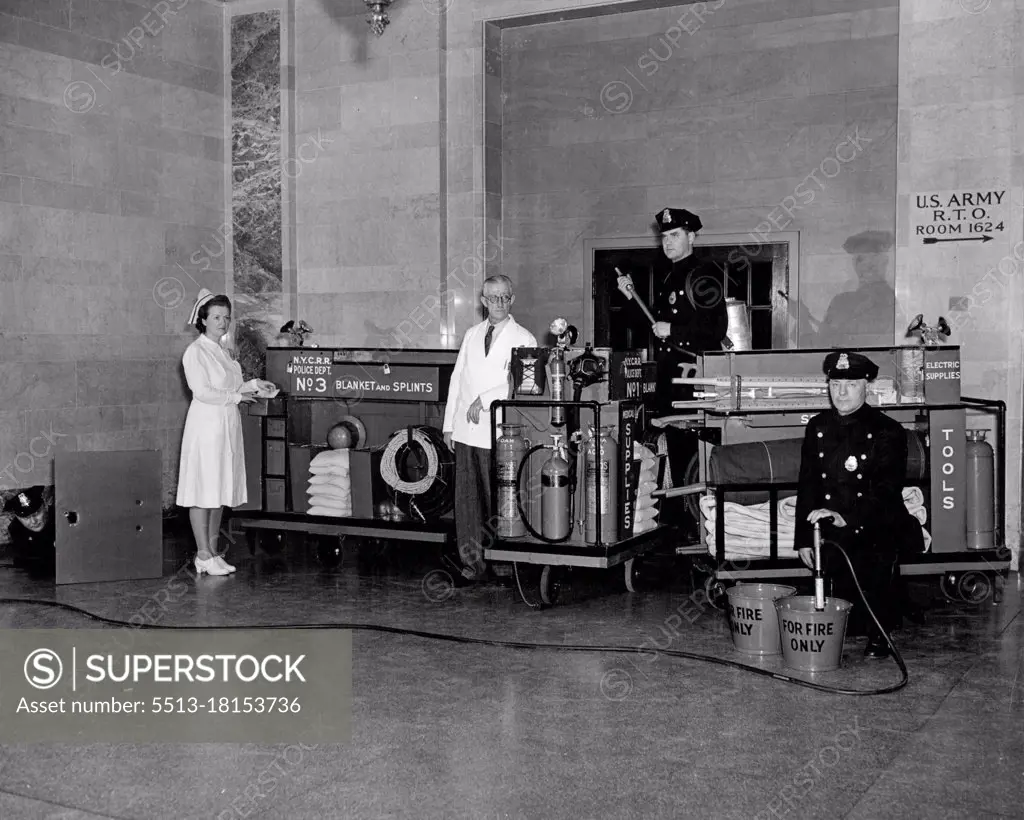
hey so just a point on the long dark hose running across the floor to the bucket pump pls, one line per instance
(525, 644)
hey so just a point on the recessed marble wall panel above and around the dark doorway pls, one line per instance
(762, 119)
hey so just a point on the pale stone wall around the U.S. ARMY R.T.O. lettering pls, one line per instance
(962, 111)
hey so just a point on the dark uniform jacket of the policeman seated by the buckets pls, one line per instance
(857, 466)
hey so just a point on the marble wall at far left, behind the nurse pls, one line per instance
(112, 179)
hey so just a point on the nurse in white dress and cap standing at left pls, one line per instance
(212, 471)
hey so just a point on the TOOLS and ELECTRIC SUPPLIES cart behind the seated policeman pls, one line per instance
(752, 409)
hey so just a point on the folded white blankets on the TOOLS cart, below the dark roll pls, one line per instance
(748, 529)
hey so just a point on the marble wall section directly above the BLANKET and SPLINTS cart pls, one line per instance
(370, 197)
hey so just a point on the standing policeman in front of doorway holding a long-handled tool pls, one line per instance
(690, 318)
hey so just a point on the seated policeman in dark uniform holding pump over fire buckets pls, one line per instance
(854, 465)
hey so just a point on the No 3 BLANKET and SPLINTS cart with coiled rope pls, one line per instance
(388, 410)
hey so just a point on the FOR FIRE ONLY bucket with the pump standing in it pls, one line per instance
(813, 641)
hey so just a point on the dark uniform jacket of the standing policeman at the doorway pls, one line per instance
(691, 298)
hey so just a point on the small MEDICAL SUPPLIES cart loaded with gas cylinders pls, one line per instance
(560, 507)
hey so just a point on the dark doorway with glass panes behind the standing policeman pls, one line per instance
(760, 280)
